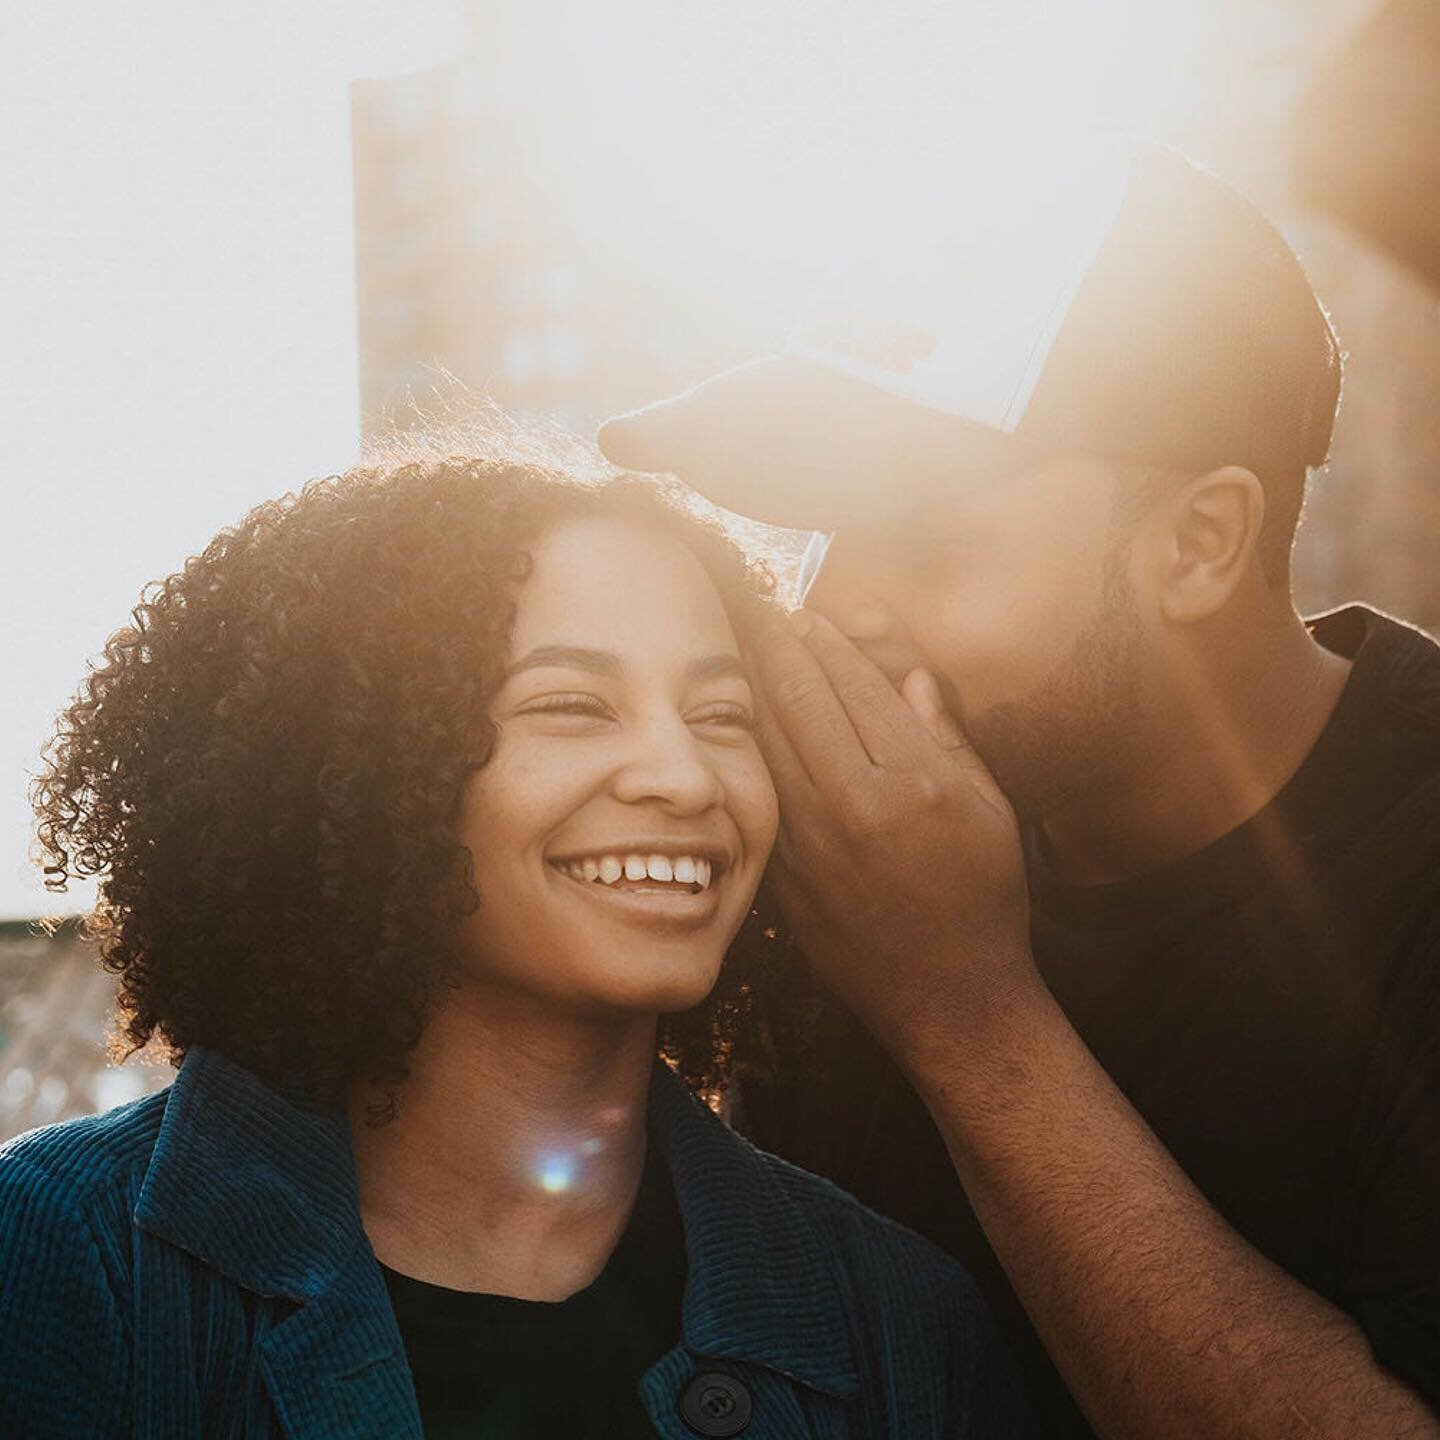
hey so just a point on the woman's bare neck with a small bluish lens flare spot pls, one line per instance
(516, 1153)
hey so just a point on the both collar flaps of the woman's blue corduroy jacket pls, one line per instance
(266, 1193)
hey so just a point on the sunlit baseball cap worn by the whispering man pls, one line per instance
(1121, 303)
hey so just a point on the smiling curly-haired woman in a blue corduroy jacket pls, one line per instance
(427, 809)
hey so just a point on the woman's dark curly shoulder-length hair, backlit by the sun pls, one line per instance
(264, 770)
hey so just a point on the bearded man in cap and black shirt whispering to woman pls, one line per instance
(1134, 875)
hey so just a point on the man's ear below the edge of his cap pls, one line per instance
(1209, 535)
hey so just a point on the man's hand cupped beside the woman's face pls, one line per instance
(899, 862)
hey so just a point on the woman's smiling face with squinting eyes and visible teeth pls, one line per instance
(624, 819)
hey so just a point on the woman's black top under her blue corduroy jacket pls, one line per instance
(490, 1366)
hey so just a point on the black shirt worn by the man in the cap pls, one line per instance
(1272, 1009)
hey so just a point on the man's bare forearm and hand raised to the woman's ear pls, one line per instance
(899, 868)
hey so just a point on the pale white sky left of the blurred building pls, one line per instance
(176, 309)
